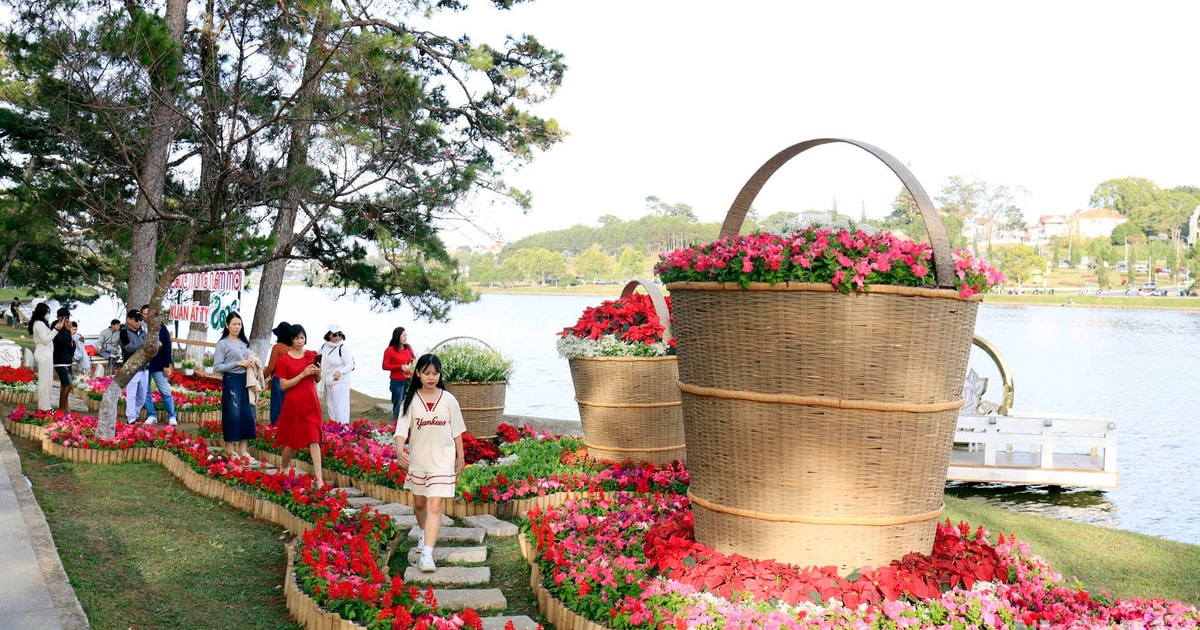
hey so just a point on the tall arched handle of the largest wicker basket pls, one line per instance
(944, 266)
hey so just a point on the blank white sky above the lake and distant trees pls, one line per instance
(685, 100)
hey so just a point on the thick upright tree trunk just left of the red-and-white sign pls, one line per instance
(153, 172)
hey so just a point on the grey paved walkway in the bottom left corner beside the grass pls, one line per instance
(37, 595)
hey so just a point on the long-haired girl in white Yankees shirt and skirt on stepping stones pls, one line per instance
(431, 423)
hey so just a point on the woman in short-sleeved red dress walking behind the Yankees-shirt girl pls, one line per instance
(299, 425)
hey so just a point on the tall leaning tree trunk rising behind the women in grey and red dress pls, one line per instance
(298, 185)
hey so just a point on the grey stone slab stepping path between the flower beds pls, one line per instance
(464, 581)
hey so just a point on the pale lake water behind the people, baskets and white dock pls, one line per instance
(1135, 368)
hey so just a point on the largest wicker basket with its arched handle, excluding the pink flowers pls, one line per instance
(823, 435)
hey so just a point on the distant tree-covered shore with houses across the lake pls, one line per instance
(616, 251)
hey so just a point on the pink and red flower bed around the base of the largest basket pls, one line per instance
(631, 562)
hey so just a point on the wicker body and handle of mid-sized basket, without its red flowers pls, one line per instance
(629, 406)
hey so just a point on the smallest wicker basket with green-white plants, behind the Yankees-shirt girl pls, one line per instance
(478, 376)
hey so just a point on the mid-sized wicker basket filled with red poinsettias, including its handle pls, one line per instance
(625, 370)
